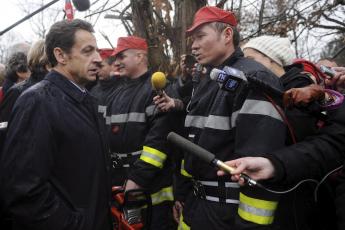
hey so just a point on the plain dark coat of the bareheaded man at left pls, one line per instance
(53, 168)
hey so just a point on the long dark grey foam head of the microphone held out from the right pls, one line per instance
(190, 147)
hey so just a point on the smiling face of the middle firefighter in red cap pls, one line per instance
(127, 63)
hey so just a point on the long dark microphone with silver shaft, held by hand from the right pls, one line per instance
(205, 155)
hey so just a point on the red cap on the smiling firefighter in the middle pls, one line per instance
(131, 42)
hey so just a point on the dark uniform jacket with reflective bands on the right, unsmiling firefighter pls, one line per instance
(232, 125)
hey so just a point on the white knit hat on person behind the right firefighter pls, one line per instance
(277, 48)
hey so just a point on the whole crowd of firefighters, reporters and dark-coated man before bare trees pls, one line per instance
(77, 121)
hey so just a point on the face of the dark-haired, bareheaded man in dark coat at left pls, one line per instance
(83, 60)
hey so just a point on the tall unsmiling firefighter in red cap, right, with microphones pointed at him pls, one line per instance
(228, 124)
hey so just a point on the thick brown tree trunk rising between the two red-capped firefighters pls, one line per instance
(149, 24)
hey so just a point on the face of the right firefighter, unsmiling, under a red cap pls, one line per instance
(209, 46)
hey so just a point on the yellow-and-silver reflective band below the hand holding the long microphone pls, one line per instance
(256, 211)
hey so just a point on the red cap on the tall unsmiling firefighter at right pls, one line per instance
(208, 14)
